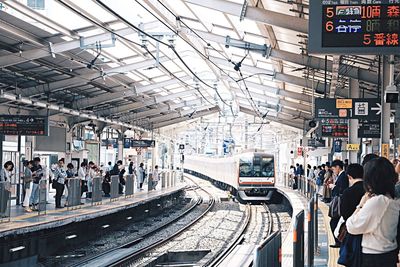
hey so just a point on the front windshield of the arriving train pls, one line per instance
(257, 166)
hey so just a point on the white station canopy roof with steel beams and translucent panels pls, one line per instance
(148, 64)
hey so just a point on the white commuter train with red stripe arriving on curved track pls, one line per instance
(249, 176)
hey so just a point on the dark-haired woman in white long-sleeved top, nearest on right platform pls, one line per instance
(377, 215)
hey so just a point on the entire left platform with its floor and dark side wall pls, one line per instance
(27, 235)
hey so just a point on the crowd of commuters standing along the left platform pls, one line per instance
(61, 173)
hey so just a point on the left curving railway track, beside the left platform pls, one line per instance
(125, 254)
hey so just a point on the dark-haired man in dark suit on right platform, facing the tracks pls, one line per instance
(338, 187)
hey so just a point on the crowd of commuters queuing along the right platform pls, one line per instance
(364, 208)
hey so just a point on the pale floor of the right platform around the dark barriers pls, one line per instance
(299, 203)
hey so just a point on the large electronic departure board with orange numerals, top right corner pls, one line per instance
(354, 26)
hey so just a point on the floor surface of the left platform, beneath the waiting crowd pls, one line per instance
(22, 222)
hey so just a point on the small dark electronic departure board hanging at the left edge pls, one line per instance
(24, 125)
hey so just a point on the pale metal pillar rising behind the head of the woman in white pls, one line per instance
(388, 73)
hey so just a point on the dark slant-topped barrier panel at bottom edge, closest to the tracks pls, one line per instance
(269, 252)
